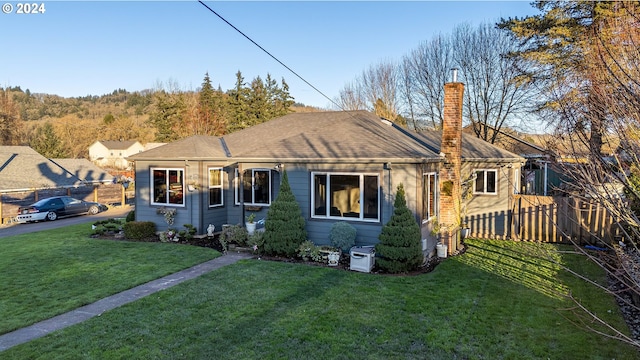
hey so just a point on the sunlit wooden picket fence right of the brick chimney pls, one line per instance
(559, 219)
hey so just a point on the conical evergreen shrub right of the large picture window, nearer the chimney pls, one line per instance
(400, 247)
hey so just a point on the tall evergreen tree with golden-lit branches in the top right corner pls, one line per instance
(564, 42)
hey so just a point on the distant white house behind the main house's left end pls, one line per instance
(113, 153)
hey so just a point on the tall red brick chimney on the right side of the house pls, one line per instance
(451, 148)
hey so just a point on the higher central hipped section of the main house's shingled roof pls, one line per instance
(335, 135)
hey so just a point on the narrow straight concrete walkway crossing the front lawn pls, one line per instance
(88, 311)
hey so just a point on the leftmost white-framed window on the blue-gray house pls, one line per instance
(167, 186)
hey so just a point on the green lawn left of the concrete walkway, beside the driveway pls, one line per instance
(51, 272)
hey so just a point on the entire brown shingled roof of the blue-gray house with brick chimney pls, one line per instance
(323, 136)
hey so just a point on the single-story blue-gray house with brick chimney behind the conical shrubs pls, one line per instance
(342, 166)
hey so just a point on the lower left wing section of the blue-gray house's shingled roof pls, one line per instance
(192, 148)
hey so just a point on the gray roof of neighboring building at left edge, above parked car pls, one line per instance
(22, 168)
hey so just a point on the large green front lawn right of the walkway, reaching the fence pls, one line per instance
(499, 300)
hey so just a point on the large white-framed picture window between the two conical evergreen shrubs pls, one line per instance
(355, 196)
